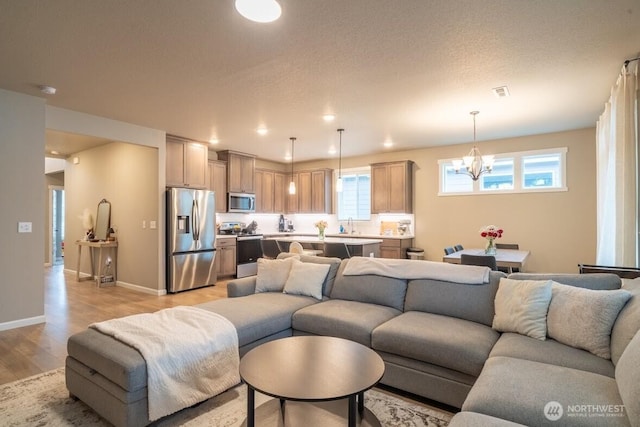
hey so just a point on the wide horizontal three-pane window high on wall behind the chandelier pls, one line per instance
(541, 170)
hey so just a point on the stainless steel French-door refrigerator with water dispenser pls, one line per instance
(191, 239)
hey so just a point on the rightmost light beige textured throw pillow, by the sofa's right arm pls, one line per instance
(583, 318)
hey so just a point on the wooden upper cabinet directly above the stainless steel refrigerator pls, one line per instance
(186, 163)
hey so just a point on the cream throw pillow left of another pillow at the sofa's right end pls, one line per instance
(521, 306)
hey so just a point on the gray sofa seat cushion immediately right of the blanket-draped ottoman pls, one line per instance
(259, 315)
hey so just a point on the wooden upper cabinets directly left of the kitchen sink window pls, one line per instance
(313, 192)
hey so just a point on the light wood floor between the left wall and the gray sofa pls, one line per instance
(70, 307)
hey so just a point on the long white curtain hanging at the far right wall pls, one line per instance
(617, 173)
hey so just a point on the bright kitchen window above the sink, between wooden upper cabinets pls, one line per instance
(355, 199)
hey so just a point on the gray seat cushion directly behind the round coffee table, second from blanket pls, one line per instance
(352, 320)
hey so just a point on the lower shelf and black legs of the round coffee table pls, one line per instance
(321, 414)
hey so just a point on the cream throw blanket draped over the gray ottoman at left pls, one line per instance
(191, 354)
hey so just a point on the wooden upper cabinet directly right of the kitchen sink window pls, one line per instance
(391, 187)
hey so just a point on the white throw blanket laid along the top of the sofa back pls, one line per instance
(410, 269)
